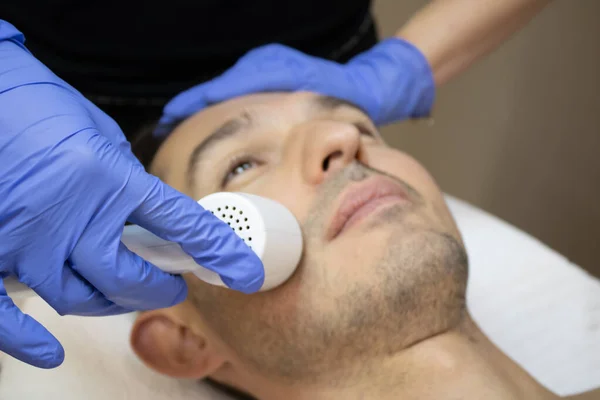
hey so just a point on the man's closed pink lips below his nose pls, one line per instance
(362, 200)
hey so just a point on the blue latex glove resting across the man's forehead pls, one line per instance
(391, 82)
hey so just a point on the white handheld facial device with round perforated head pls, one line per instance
(265, 225)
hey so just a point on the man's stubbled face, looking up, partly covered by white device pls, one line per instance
(383, 264)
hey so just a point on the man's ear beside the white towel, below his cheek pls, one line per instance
(171, 348)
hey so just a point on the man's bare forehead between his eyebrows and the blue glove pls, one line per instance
(171, 161)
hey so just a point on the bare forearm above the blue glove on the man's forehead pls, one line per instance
(453, 34)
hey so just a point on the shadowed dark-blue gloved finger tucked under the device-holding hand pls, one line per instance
(69, 294)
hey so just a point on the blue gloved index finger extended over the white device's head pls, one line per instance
(177, 218)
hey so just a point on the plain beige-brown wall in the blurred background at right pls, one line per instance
(519, 134)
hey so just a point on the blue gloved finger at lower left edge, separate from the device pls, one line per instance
(26, 339)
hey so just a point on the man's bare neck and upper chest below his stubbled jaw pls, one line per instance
(458, 364)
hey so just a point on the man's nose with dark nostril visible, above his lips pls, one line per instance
(329, 146)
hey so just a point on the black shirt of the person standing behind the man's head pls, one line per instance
(152, 50)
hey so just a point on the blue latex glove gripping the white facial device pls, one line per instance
(68, 184)
